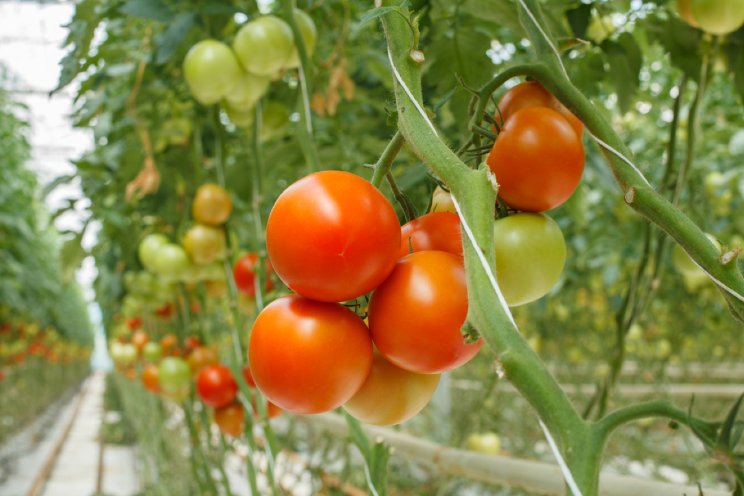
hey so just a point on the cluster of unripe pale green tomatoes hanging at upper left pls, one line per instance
(238, 76)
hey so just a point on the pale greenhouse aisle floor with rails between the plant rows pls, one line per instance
(74, 435)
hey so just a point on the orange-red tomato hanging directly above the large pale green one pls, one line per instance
(538, 160)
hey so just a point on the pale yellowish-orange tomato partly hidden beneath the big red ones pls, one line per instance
(391, 395)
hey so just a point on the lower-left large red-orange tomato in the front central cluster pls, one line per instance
(308, 356)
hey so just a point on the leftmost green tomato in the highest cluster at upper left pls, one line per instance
(211, 71)
